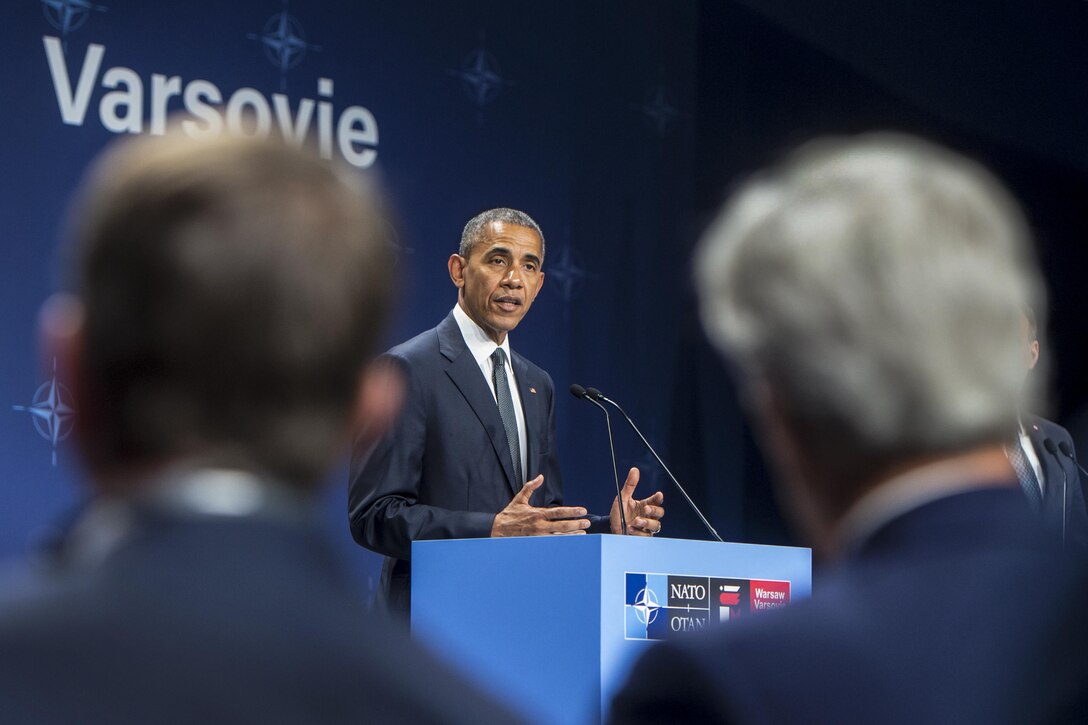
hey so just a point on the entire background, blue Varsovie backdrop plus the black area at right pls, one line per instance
(619, 126)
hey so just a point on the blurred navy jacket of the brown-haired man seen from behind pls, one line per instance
(215, 621)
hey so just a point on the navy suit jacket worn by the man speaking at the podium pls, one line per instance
(444, 470)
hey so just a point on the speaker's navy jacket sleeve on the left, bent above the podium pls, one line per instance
(385, 486)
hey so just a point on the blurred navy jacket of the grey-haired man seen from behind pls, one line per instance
(960, 611)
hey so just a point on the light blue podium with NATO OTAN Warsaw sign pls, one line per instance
(552, 624)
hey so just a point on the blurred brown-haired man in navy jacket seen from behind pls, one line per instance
(227, 299)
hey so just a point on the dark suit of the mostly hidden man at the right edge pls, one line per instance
(1061, 480)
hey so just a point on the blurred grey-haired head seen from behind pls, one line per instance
(870, 293)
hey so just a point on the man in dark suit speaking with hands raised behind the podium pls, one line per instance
(474, 452)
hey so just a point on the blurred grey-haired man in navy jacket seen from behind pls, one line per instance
(869, 293)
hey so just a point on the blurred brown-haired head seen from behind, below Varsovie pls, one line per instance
(227, 297)
